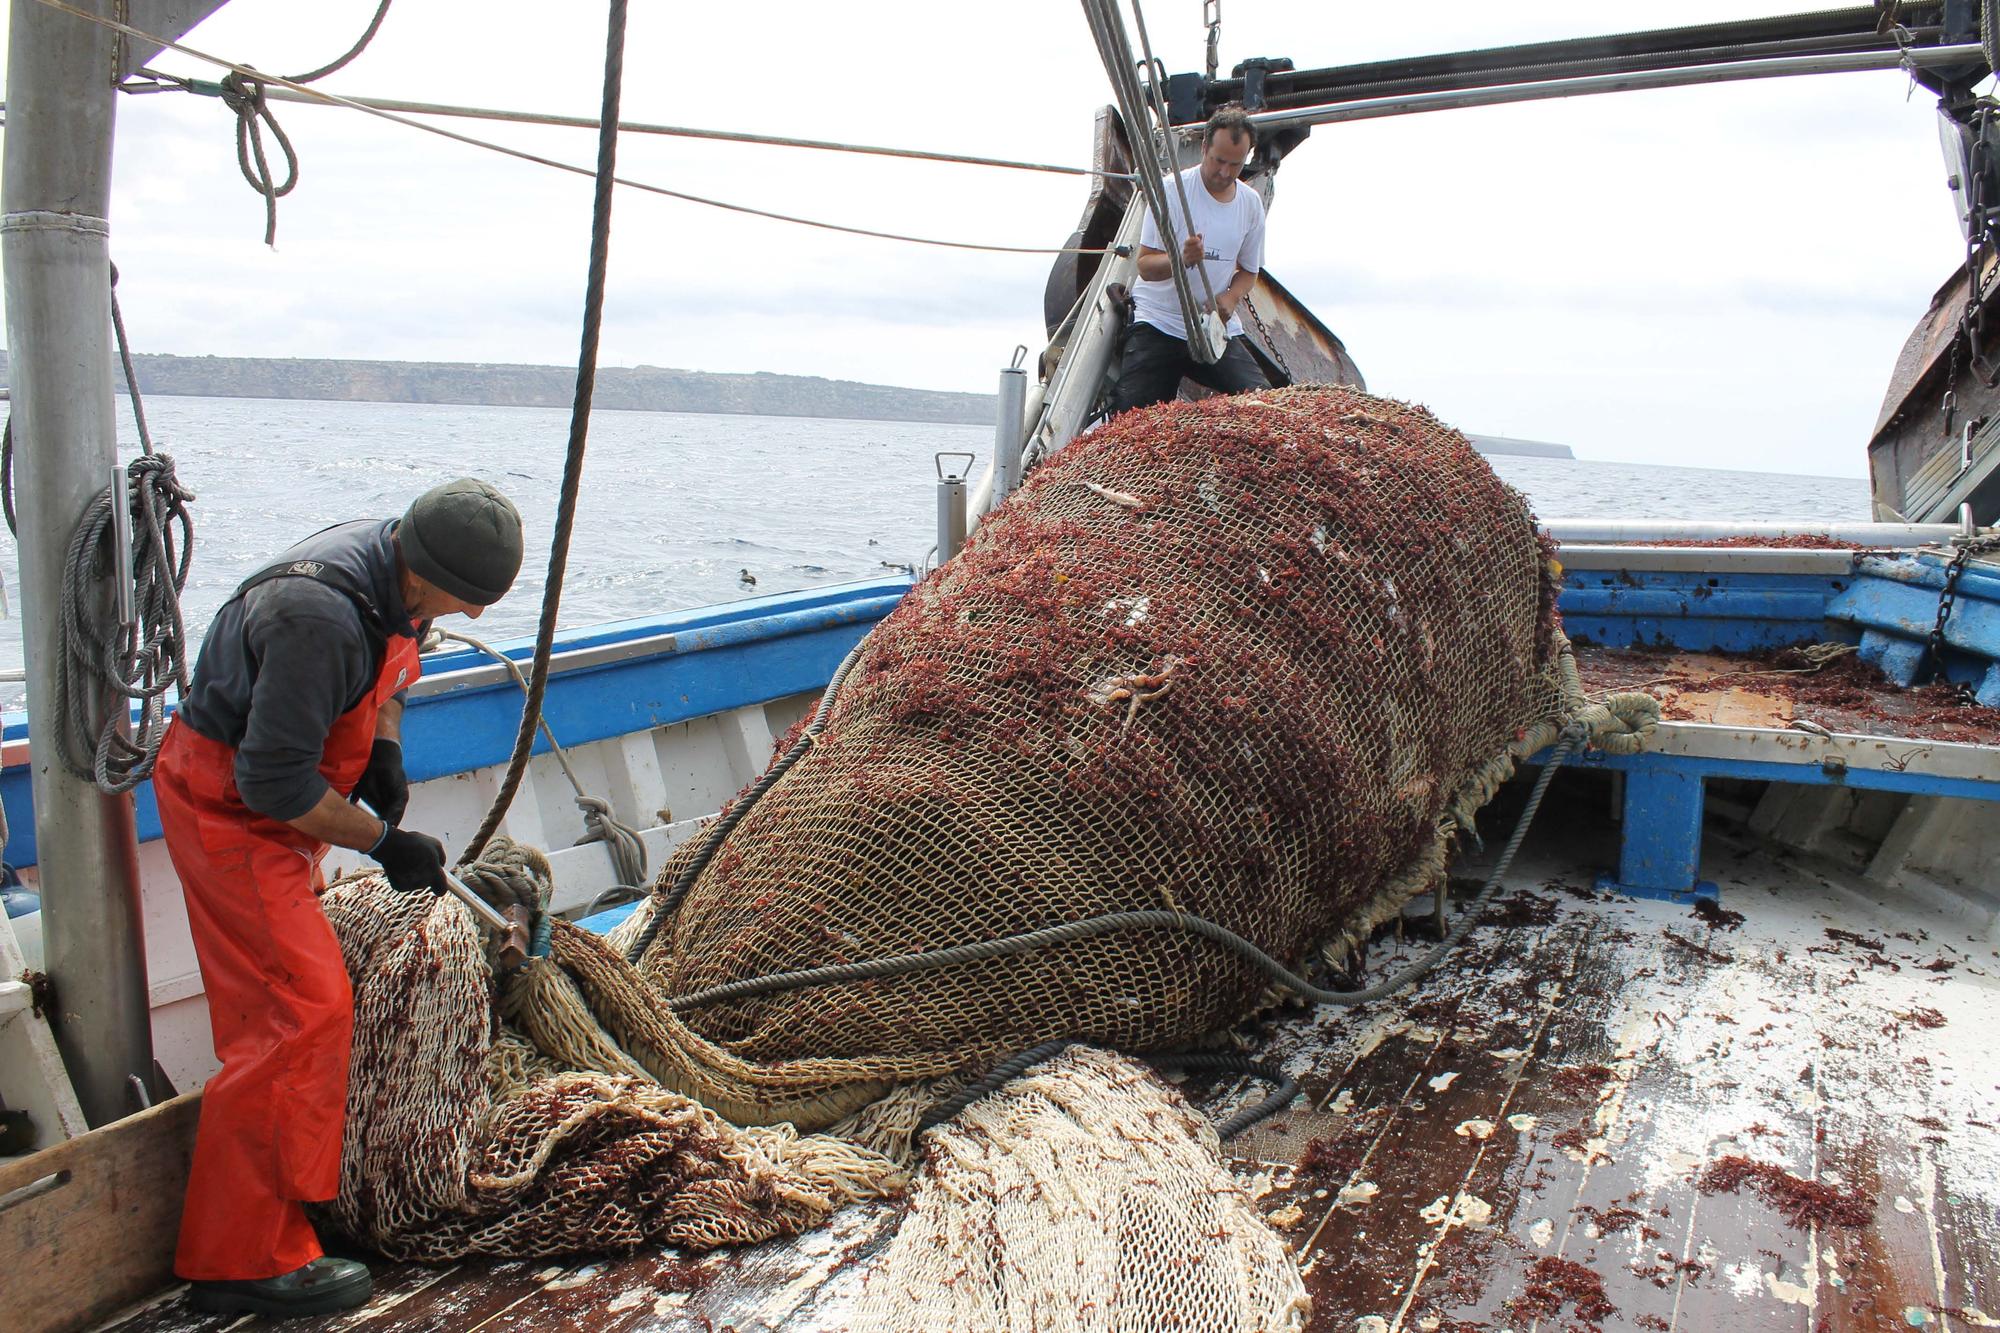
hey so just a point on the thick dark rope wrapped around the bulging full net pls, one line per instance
(1047, 938)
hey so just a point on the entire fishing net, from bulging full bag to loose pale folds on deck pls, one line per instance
(1251, 661)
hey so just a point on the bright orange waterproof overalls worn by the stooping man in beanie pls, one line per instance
(279, 998)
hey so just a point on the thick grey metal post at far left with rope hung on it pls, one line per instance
(55, 251)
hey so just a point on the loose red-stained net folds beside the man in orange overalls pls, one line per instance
(467, 1136)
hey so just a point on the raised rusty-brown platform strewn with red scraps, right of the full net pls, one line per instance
(1781, 690)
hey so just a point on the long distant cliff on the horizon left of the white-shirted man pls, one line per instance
(647, 389)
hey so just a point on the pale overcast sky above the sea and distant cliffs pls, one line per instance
(1715, 277)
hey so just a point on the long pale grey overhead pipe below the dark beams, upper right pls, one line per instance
(1841, 63)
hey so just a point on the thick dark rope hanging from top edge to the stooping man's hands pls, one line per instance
(573, 465)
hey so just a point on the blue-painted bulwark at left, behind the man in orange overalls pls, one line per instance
(695, 663)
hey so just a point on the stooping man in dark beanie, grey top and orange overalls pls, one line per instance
(293, 720)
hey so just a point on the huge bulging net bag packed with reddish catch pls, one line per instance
(1251, 659)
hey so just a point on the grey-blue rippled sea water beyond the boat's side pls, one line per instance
(683, 509)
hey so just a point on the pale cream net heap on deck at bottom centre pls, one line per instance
(1145, 1230)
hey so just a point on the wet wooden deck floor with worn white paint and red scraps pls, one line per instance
(1529, 1138)
